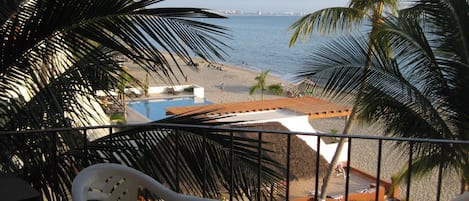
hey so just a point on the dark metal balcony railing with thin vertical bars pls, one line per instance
(206, 129)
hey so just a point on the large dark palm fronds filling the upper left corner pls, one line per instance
(80, 46)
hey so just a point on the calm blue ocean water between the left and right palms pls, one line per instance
(262, 42)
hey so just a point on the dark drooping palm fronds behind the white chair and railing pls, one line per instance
(190, 160)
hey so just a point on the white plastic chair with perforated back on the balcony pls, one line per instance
(108, 181)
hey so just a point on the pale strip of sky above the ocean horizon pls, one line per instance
(304, 6)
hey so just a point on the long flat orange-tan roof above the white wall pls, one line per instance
(313, 107)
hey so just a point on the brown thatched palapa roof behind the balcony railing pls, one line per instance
(302, 157)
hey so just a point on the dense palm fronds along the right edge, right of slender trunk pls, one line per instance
(424, 81)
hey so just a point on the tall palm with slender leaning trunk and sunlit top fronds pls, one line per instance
(330, 20)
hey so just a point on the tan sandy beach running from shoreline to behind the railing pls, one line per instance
(236, 82)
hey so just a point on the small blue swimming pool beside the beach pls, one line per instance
(156, 109)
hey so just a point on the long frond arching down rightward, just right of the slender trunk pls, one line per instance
(431, 73)
